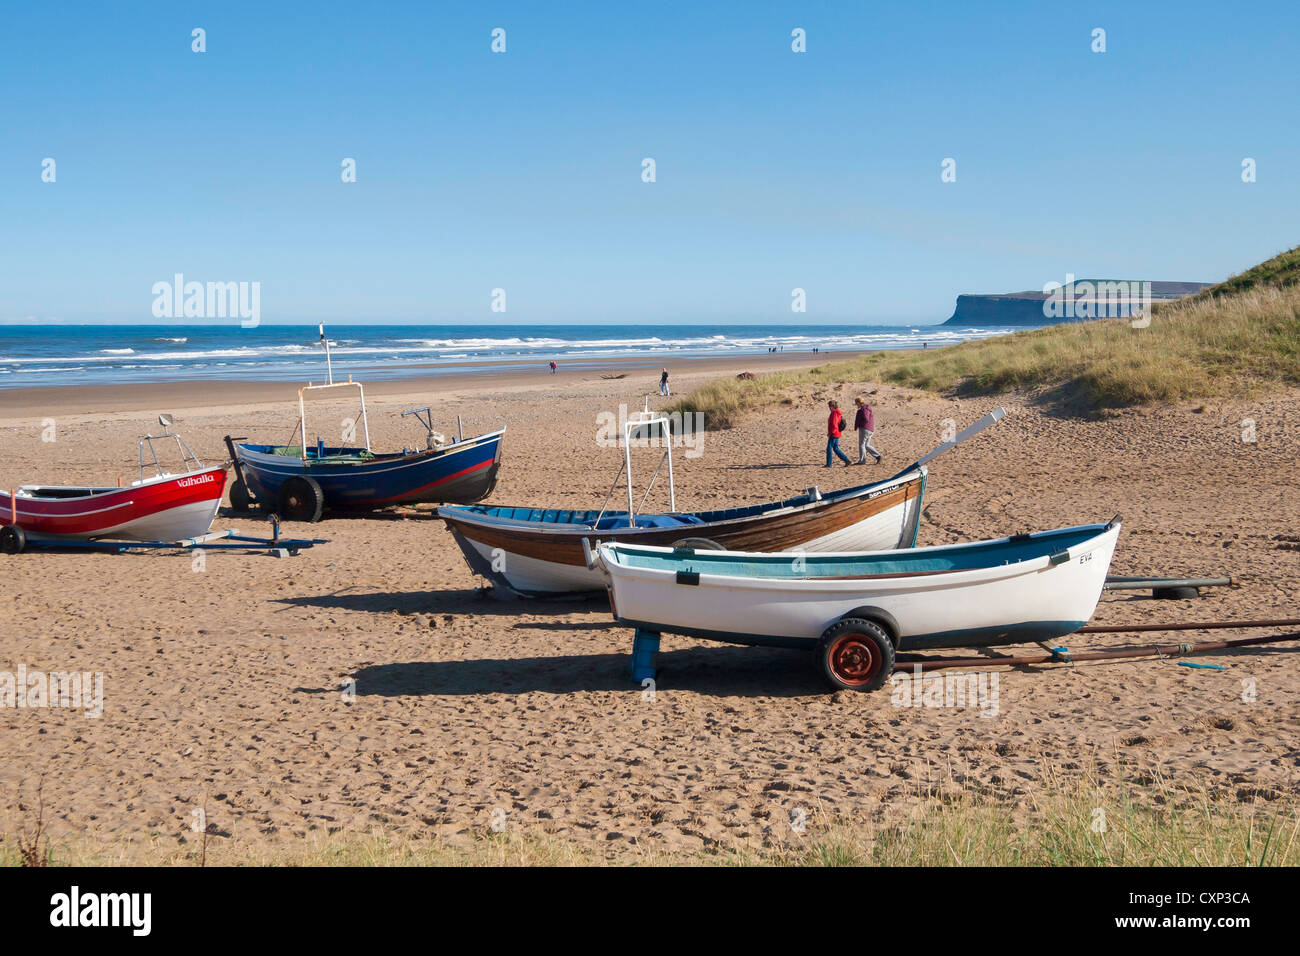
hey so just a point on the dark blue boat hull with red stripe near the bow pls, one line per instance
(461, 473)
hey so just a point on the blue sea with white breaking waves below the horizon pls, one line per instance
(34, 356)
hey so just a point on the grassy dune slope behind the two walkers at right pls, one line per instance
(1240, 338)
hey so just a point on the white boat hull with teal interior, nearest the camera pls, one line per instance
(1008, 591)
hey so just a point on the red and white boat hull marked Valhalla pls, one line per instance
(171, 508)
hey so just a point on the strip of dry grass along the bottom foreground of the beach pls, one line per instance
(1147, 821)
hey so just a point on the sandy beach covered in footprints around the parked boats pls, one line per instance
(224, 685)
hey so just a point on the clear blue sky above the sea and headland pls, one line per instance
(523, 171)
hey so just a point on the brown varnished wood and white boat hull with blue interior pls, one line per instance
(539, 553)
